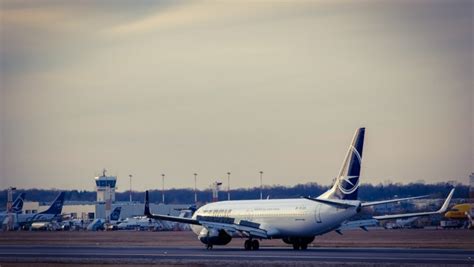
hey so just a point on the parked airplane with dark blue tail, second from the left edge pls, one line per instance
(53, 212)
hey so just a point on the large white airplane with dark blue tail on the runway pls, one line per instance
(296, 221)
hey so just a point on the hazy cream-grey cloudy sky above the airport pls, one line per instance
(209, 87)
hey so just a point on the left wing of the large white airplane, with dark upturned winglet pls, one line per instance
(246, 228)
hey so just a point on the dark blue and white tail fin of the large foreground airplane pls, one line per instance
(346, 185)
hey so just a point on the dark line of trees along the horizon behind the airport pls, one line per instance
(367, 192)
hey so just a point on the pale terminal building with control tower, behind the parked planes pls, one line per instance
(105, 202)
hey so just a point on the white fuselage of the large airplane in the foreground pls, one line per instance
(297, 217)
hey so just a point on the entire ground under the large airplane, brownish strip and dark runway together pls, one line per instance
(423, 247)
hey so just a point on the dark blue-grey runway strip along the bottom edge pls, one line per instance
(130, 255)
